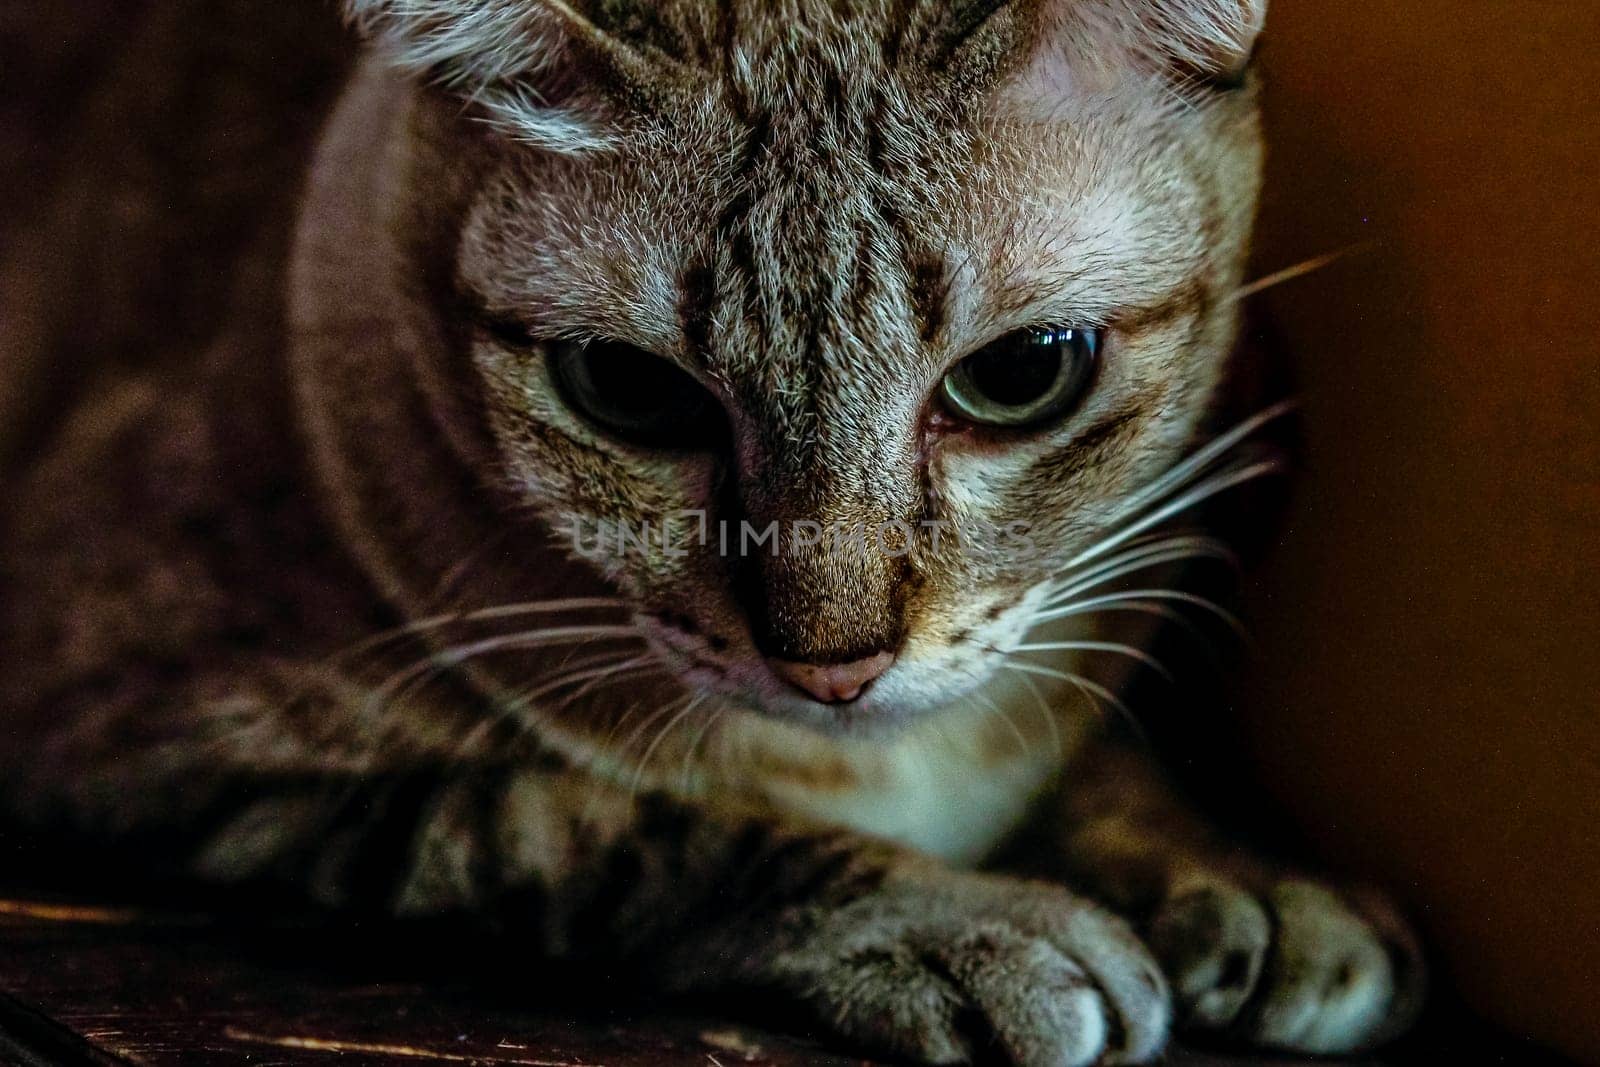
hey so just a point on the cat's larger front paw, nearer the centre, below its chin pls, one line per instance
(962, 969)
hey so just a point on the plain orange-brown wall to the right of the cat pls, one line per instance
(1430, 703)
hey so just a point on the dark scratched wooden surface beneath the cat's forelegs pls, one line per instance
(119, 986)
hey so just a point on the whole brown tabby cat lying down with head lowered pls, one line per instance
(650, 478)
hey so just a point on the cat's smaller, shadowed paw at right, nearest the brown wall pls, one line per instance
(1298, 967)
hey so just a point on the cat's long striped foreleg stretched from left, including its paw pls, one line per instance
(884, 948)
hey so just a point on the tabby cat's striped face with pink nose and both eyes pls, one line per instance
(828, 338)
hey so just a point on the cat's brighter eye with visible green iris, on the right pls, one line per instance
(1026, 378)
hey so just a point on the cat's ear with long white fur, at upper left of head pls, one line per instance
(535, 70)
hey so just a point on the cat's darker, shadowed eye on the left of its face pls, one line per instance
(636, 394)
